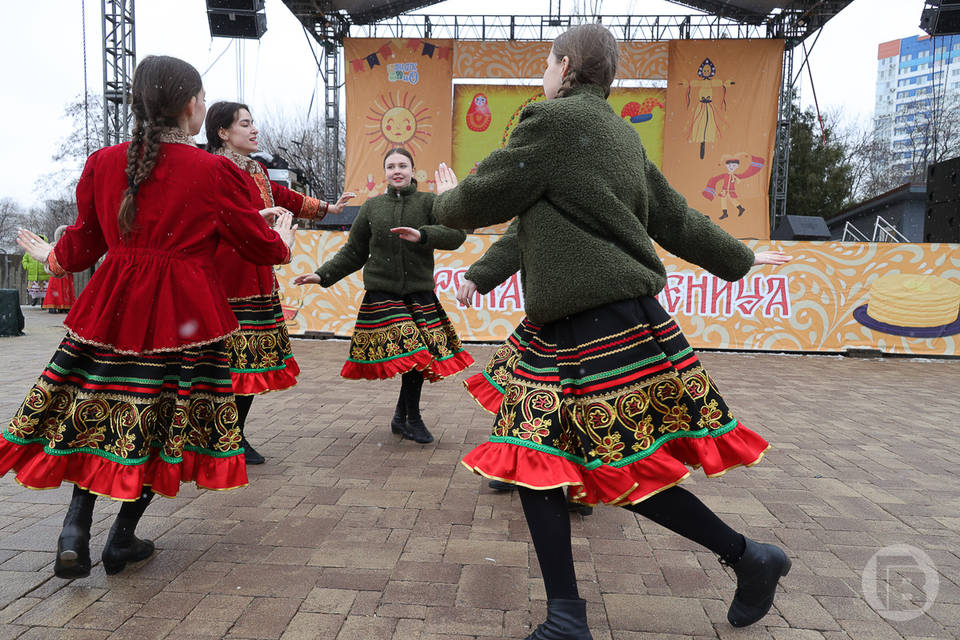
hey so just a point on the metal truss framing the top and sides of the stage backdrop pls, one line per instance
(329, 25)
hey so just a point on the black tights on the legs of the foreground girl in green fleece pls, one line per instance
(675, 508)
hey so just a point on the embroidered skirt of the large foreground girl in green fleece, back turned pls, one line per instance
(611, 402)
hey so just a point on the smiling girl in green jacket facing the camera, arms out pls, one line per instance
(401, 327)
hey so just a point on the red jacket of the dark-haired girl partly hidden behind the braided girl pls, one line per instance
(242, 278)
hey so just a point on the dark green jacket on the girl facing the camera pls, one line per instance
(389, 263)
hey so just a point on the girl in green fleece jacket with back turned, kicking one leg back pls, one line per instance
(602, 394)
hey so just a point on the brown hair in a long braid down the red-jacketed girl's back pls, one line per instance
(162, 88)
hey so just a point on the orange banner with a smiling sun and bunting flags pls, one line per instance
(398, 95)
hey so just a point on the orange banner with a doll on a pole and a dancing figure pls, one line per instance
(720, 130)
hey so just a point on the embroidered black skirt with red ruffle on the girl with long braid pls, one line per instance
(113, 423)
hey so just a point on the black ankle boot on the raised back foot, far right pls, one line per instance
(758, 571)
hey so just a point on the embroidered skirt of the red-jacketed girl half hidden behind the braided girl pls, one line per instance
(261, 358)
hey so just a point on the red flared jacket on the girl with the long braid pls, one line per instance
(157, 289)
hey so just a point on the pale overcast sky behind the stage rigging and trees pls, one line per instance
(43, 70)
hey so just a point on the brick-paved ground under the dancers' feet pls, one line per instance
(349, 534)
